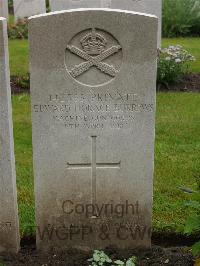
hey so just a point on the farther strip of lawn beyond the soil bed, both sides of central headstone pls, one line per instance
(19, 53)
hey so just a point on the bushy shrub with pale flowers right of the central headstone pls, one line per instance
(173, 64)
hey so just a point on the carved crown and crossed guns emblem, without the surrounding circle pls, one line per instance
(94, 54)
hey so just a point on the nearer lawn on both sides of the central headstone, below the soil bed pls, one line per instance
(177, 158)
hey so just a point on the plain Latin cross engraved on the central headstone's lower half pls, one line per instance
(94, 166)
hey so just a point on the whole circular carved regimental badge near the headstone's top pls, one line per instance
(94, 47)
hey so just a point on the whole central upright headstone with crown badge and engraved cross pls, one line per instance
(93, 86)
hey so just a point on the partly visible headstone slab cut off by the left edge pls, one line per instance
(9, 230)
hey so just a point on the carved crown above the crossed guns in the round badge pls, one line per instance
(93, 43)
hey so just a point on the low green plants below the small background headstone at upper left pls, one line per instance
(18, 30)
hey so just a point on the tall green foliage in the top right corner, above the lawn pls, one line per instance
(181, 18)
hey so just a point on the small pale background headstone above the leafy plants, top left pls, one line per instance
(26, 8)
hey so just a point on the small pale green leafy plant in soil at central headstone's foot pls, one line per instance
(99, 258)
